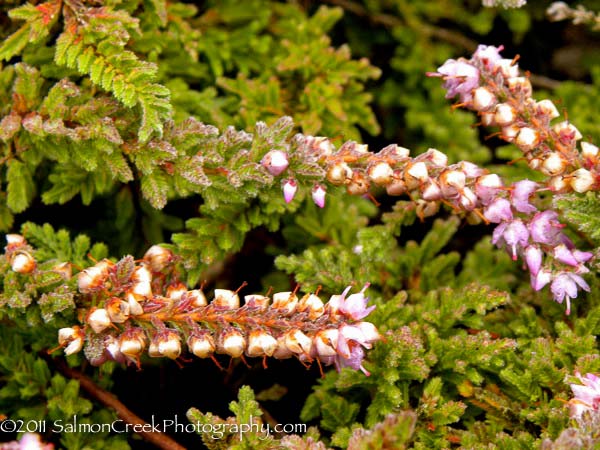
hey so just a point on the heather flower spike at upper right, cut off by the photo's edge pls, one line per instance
(493, 87)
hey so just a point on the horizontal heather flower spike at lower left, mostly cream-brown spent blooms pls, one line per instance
(135, 307)
